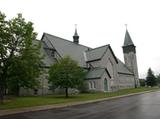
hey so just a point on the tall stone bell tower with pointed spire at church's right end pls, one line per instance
(129, 51)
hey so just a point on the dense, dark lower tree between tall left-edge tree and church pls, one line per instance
(29, 64)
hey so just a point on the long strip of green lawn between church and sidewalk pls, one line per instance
(19, 102)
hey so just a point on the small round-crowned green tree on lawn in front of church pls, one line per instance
(66, 74)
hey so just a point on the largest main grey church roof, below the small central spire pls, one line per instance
(65, 47)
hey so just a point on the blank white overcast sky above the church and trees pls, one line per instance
(99, 22)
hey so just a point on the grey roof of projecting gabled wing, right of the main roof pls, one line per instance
(96, 54)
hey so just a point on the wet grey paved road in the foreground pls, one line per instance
(144, 106)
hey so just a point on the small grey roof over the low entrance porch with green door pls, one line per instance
(95, 73)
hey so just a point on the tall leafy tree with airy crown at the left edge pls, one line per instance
(16, 36)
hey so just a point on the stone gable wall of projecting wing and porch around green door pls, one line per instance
(108, 62)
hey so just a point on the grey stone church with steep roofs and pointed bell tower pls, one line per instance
(106, 73)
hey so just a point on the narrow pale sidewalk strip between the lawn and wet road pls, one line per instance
(55, 106)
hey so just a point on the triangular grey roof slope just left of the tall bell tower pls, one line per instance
(122, 68)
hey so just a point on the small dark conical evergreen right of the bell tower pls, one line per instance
(150, 79)
